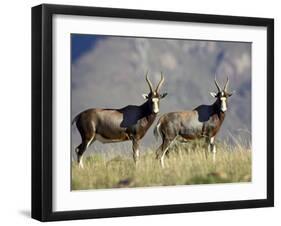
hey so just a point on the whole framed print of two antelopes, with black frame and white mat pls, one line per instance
(145, 112)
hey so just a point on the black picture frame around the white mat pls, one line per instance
(42, 111)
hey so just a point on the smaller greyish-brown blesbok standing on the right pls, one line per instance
(202, 122)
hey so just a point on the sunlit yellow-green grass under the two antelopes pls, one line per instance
(186, 164)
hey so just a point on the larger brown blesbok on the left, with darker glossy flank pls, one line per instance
(116, 125)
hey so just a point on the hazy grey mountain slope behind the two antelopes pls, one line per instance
(112, 75)
